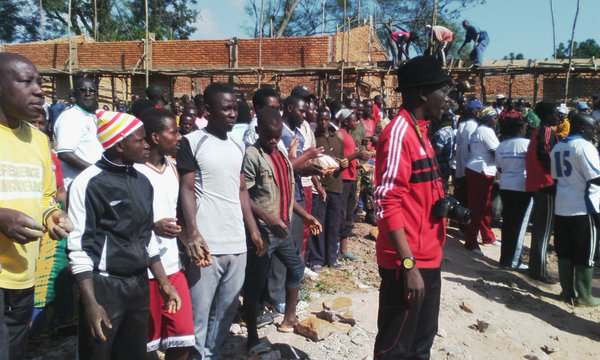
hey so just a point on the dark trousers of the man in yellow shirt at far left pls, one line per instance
(17, 308)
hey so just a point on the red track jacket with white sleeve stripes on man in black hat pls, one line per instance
(407, 188)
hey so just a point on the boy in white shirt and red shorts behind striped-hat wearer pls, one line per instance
(173, 333)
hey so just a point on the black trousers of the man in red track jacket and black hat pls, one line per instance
(406, 329)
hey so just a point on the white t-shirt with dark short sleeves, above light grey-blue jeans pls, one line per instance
(217, 164)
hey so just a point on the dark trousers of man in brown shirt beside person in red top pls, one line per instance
(324, 247)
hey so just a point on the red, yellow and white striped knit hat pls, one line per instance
(115, 126)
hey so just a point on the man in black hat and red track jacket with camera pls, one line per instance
(409, 245)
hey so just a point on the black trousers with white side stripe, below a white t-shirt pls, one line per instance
(515, 219)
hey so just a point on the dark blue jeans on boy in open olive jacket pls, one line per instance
(256, 271)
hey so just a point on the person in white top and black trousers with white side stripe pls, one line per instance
(517, 203)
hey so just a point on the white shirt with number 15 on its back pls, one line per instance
(575, 162)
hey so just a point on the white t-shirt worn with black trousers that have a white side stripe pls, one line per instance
(510, 158)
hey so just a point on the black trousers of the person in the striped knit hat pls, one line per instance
(127, 304)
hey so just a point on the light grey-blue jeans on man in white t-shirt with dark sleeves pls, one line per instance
(214, 291)
